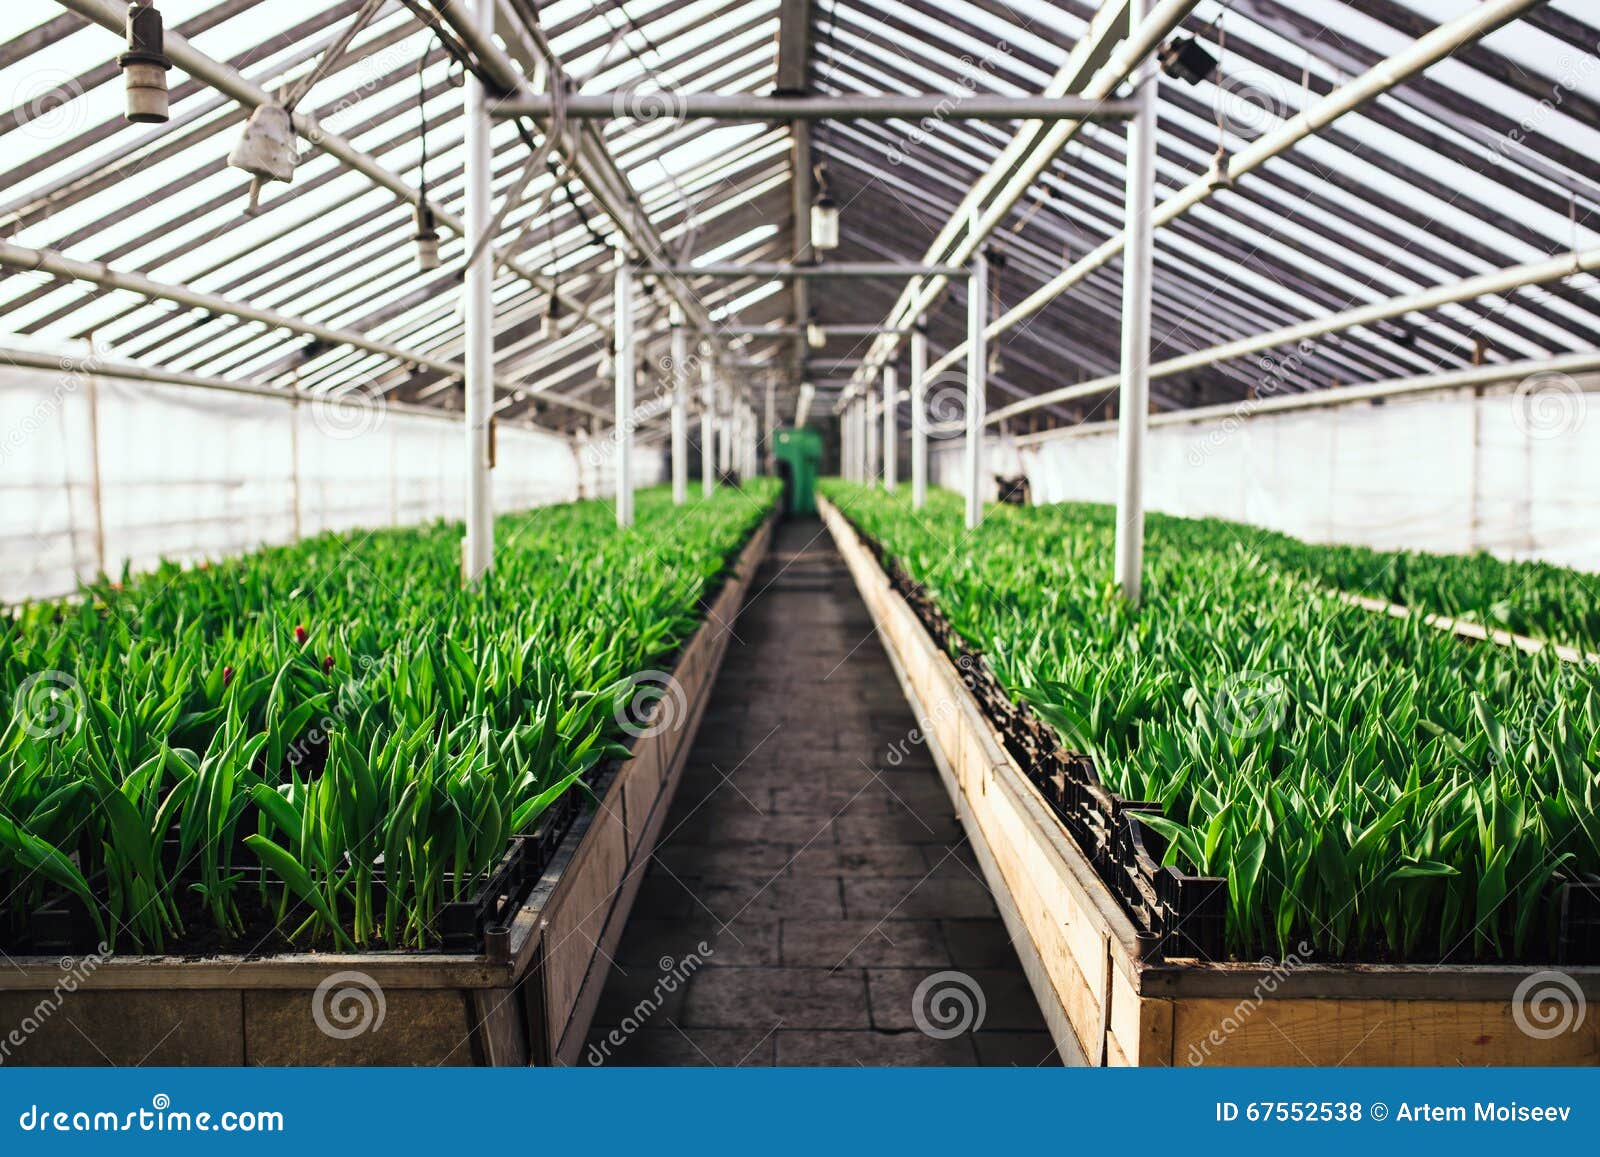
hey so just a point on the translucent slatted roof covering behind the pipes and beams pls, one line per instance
(1486, 161)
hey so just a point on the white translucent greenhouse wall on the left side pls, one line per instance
(191, 474)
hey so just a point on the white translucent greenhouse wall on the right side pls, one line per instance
(1449, 473)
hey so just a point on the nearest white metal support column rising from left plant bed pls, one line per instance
(478, 548)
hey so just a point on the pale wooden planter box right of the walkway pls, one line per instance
(1082, 955)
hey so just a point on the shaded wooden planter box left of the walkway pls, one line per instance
(529, 1004)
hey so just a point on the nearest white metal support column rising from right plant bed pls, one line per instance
(1134, 410)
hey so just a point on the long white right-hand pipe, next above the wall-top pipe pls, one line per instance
(1500, 282)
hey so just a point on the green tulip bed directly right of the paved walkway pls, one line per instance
(1369, 785)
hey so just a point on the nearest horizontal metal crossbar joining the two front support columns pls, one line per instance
(668, 105)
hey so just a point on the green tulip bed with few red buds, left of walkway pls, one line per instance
(334, 739)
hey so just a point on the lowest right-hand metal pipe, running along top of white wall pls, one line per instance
(1450, 380)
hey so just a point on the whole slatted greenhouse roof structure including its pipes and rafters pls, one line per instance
(1385, 190)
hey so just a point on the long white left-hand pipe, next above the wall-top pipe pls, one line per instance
(95, 273)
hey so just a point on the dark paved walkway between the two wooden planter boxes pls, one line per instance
(815, 854)
